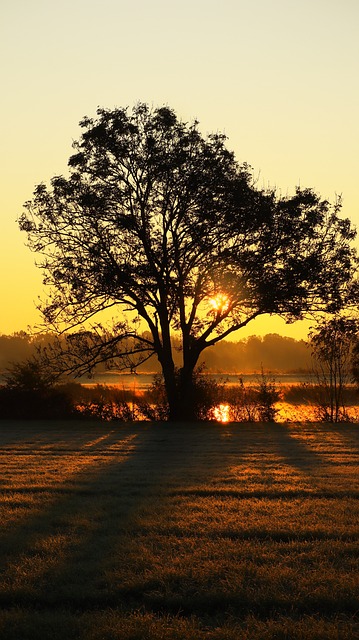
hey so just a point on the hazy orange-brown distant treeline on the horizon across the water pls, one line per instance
(273, 352)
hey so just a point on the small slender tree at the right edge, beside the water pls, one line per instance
(332, 344)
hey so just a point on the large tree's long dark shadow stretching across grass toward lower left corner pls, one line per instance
(96, 509)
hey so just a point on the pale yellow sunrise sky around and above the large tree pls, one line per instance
(279, 77)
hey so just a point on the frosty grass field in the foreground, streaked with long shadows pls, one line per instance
(148, 532)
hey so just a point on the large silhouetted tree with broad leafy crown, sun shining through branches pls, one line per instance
(157, 220)
